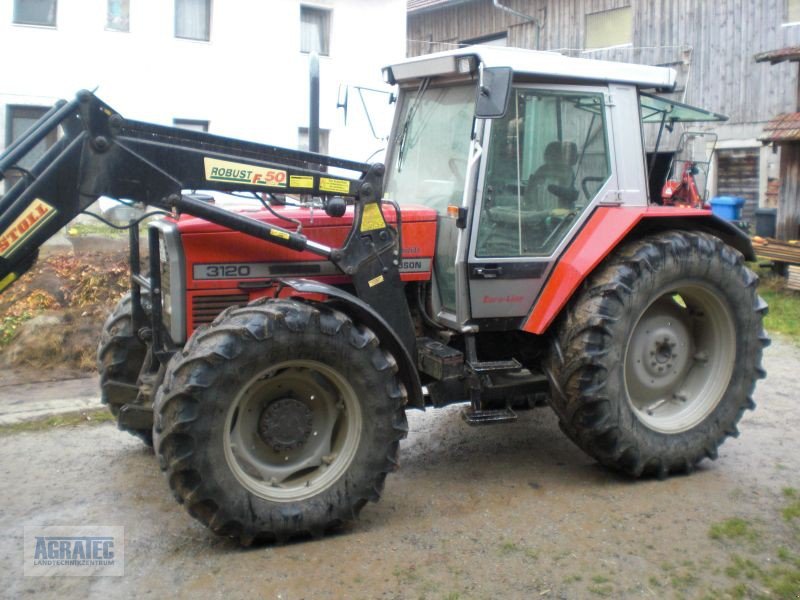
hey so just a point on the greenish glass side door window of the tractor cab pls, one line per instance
(548, 158)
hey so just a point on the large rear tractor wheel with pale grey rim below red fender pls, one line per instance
(656, 359)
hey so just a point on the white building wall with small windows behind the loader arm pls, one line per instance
(249, 81)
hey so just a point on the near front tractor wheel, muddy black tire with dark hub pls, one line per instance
(280, 419)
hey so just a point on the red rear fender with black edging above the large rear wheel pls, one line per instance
(605, 230)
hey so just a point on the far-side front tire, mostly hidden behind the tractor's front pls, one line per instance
(120, 356)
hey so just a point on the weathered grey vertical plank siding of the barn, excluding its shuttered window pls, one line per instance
(711, 44)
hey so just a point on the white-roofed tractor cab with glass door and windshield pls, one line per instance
(513, 186)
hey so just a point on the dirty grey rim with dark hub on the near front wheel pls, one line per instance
(292, 430)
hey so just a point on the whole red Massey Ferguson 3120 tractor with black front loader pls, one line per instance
(505, 257)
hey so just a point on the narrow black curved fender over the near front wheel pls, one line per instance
(361, 312)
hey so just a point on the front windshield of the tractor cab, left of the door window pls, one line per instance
(430, 147)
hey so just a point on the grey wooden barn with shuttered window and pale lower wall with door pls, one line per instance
(710, 45)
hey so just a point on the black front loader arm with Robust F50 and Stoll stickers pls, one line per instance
(102, 154)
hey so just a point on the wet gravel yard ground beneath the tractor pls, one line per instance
(510, 511)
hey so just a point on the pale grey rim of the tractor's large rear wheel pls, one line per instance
(679, 358)
